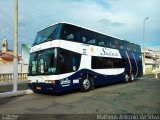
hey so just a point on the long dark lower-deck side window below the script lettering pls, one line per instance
(104, 63)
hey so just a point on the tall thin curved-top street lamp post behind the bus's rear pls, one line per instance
(144, 38)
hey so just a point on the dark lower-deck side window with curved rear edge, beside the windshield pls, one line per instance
(68, 61)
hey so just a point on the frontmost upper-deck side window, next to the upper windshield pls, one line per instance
(70, 33)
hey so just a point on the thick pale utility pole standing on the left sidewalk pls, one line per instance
(15, 67)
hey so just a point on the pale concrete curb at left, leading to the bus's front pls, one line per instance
(14, 94)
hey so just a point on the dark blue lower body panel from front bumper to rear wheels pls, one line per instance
(99, 79)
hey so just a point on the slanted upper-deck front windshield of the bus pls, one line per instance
(46, 34)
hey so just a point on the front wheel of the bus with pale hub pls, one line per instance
(86, 84)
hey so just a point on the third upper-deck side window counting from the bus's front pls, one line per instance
(102, 40)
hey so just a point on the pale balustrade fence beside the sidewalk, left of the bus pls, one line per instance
(6, 77)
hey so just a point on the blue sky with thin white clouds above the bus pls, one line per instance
(119, 18)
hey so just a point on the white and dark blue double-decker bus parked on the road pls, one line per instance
(66, 57)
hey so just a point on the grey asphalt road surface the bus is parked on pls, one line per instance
(139, 97)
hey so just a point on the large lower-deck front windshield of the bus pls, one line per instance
(43, 62)
